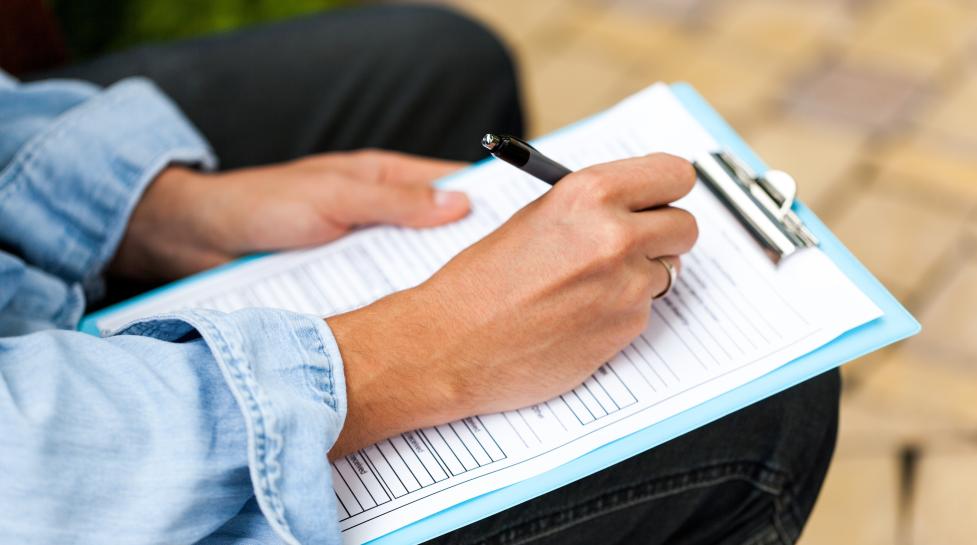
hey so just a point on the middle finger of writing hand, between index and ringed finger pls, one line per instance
(665, 231)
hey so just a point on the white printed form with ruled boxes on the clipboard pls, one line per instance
(732, 317)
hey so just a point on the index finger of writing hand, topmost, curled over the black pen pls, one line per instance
(642, 182)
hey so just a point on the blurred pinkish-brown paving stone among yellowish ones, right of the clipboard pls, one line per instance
(863, 97)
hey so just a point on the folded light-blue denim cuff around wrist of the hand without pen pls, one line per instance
(109, 148)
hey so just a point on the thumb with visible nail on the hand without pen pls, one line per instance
(406, 205)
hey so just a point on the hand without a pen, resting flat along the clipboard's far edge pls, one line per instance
(189, 221)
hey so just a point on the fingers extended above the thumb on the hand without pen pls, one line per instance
(390, 167)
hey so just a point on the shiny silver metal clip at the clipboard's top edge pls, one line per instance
(762, 203)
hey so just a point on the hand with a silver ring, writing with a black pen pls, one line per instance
(526, 313)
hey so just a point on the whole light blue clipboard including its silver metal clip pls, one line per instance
(763, 201)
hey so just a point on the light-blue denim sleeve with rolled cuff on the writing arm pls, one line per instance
(177, 429)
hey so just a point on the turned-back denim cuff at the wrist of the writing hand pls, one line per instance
(286, 373)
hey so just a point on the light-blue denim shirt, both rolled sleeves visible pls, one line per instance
(194, 427)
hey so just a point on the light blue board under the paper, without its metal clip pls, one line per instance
(895, 324)
